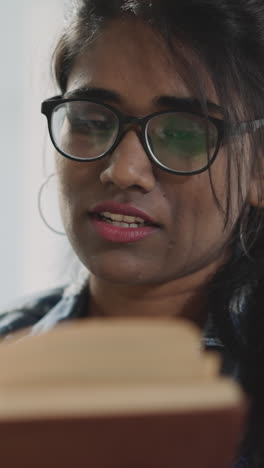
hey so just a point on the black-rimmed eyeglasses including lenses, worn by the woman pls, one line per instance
(179, 141)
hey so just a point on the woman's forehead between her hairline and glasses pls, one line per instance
(132, 60)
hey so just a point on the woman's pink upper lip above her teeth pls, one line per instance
(123, 209)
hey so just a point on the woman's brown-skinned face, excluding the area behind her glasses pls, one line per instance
(128, 60)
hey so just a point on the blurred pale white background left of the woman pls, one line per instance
(32, 257)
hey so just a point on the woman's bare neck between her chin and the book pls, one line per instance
(184, 298)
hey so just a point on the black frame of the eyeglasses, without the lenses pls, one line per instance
(48, 106)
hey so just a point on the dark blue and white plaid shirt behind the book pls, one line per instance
(40, 313)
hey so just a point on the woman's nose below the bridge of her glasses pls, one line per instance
(129, 166)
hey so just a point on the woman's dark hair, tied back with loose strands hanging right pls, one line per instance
(227, 37)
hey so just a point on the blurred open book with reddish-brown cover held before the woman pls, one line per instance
(115, 393)
